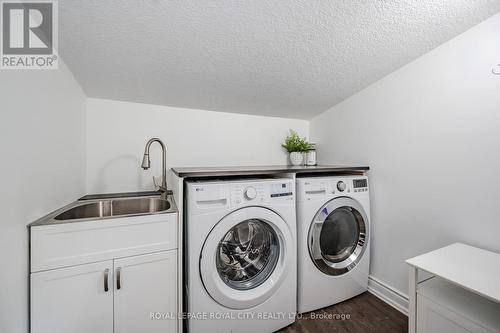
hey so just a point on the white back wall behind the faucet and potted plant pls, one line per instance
(118, 131)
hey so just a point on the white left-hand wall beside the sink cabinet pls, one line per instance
(42, 144)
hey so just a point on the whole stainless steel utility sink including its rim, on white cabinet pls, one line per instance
(109, 208)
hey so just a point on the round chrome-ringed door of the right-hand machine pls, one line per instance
(338, 236)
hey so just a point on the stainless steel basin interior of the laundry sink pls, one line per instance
(115, 208)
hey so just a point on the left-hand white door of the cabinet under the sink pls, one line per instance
(77, 299)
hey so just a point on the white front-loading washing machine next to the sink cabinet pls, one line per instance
(240, 255)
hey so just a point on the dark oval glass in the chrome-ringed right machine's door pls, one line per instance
(340, 234)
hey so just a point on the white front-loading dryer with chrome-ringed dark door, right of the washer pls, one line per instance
(333, 232)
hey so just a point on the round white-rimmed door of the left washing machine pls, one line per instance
(233, 270)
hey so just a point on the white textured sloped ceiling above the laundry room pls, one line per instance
(290, 58)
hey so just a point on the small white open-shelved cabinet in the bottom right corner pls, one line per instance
(462, 295)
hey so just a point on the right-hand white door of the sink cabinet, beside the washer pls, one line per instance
(145, 298)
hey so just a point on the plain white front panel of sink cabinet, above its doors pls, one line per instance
(75, 243)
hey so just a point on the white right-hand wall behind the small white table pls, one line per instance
(431, 134)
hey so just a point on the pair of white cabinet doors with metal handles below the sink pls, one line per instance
(128, 295)
